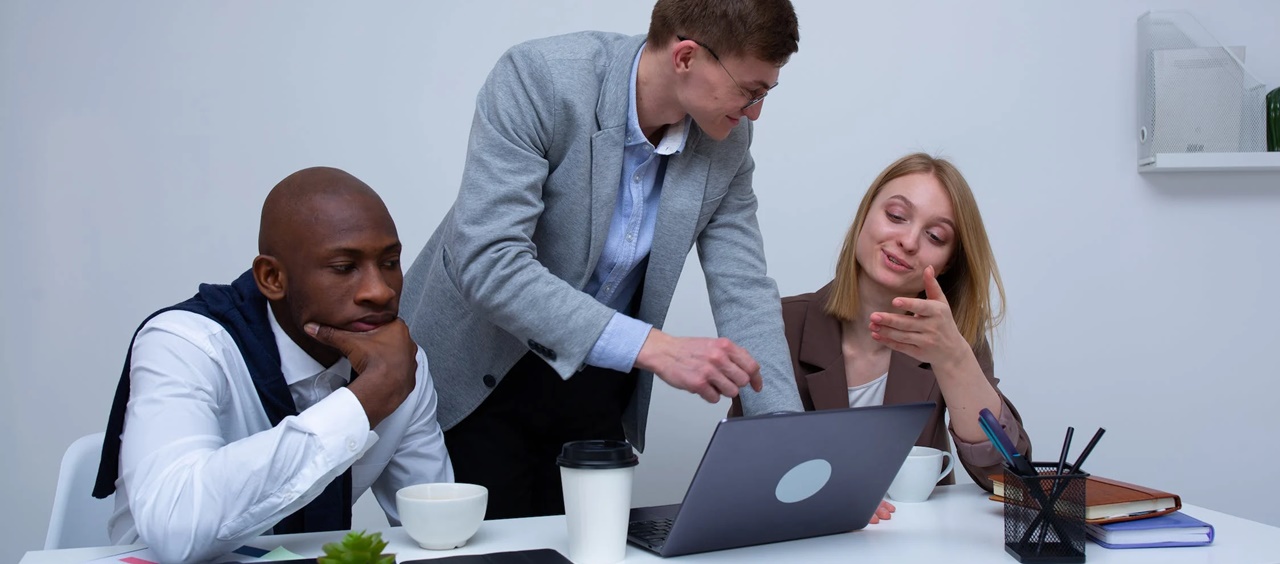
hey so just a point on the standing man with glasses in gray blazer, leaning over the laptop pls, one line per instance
(596, 163)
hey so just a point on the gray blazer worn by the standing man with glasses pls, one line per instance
(504, 272)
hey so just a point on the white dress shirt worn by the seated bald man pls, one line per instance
(203, 470)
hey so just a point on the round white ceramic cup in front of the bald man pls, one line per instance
(442, 516)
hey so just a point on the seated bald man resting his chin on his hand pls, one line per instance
(240, 411)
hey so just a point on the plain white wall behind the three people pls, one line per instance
(138, 141)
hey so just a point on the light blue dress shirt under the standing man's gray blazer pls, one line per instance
(621, 269)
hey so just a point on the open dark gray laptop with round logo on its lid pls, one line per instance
(779, 478)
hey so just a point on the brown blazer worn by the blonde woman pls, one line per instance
(813, 338)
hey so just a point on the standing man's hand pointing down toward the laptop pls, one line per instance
(708, 368)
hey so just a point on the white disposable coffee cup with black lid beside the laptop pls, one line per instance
(597, 480)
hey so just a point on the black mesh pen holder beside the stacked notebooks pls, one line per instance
(1045, 516)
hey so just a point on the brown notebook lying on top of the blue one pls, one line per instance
(1112, 501)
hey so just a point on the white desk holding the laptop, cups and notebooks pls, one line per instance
(958, 525)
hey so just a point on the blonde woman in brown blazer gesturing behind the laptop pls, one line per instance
(908, 315)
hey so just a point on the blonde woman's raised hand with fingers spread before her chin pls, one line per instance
(931, 334)
